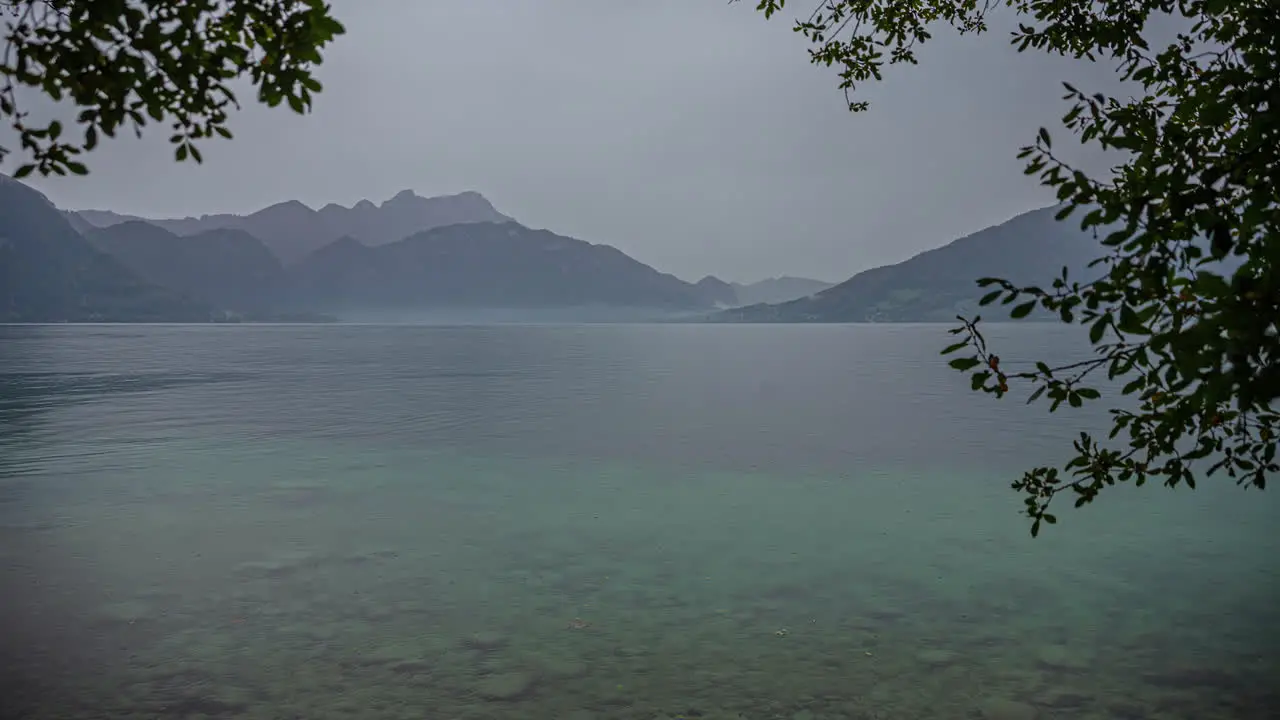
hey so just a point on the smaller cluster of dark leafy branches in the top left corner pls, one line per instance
(129, 62)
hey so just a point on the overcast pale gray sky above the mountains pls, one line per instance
(694, 135)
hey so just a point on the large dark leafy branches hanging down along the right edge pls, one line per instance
(1186, 309)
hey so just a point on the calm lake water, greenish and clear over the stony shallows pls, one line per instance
(591, 522)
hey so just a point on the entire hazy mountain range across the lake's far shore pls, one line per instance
(455, 253)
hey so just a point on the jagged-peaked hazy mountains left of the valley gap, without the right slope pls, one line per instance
(409, 254)
